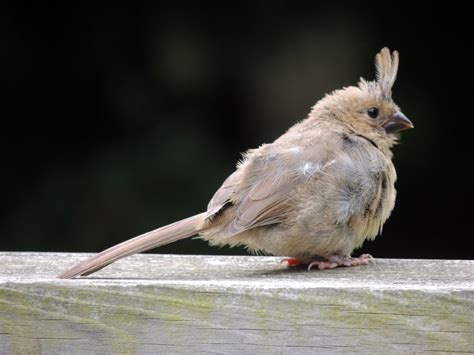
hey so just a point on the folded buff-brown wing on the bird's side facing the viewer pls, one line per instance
(262, 186)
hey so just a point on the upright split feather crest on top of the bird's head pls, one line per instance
(386, 67)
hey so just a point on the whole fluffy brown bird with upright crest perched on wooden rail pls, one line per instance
(314, 195)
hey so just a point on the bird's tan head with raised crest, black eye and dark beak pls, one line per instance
(368, 109)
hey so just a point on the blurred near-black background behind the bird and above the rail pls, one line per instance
(119, 120)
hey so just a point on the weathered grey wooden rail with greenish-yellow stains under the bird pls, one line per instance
(184, 304)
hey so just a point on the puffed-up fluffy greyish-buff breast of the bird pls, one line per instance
(352, 196)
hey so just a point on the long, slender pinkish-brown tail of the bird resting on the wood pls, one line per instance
(161, 236)
